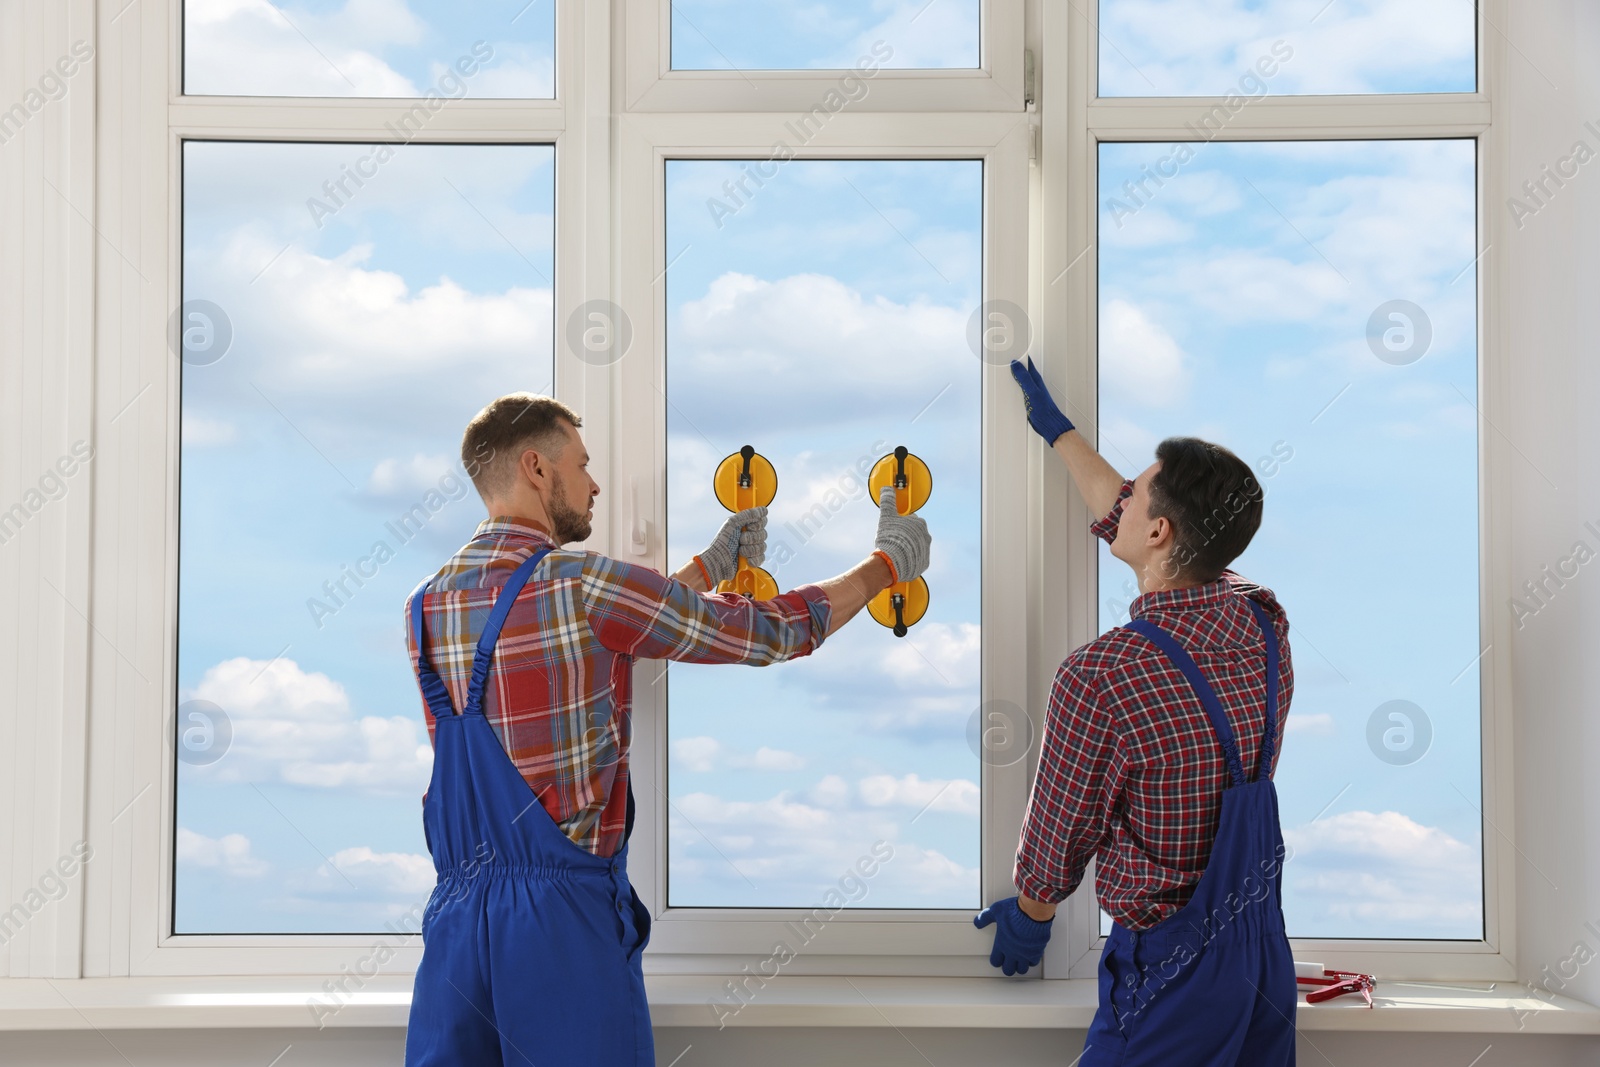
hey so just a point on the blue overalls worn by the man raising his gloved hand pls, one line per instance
(1212, 985)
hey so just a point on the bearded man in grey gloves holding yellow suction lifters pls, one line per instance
(526, 652)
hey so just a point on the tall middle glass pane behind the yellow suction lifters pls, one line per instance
(825, 324)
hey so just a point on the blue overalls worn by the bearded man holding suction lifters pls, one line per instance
(532, 945)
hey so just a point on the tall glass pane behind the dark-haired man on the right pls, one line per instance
(1313, 308)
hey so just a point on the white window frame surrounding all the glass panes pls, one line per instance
(1038, 601)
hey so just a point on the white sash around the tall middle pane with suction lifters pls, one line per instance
(857, 940)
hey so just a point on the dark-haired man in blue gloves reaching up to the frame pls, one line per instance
(1158, 761)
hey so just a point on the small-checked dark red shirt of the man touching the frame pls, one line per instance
(1130, 772)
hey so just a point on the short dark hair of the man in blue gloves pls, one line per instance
(1214, 503)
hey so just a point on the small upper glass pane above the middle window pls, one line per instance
(828, 34)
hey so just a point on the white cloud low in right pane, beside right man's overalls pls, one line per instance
(1385, 874)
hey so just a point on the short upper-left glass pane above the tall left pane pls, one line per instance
(417, 49)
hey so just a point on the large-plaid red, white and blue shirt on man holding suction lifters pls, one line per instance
(559, 692)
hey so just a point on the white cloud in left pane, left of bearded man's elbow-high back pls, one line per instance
(297, 727)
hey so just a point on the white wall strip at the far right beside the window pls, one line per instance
(1554, 394)
